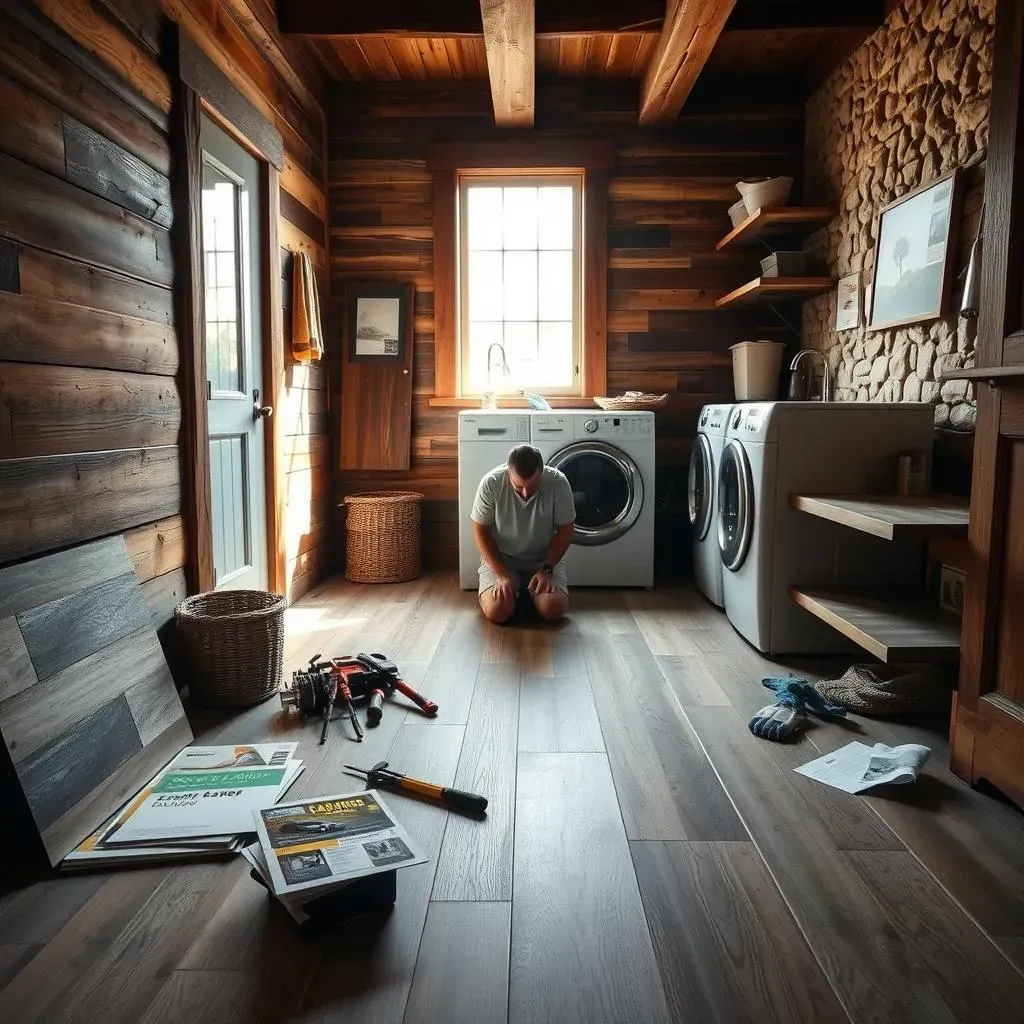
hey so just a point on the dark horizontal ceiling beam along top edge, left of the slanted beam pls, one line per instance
(343, 19)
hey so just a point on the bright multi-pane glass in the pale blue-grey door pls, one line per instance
(223, 263)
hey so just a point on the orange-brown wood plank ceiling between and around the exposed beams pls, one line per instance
(413, 41)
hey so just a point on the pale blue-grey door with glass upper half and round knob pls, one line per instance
(234, 360)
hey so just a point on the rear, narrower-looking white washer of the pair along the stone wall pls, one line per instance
(703, 500)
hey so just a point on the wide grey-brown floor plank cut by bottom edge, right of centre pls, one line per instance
(729, 948)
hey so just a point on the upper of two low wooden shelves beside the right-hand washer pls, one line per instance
(893, 518)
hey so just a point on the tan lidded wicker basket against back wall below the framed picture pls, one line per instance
(382, 531)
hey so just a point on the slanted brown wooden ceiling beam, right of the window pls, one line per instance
(691, 31)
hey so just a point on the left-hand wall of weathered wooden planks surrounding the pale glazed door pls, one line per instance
(91, 391)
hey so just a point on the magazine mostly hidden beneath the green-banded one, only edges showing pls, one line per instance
(93, 851)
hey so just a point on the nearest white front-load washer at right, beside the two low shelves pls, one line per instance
(776, 450)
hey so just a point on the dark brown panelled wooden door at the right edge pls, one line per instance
(988, 730)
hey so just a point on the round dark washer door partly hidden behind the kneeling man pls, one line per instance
(608, 490)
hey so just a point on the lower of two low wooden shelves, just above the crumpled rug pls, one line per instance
(894, 625)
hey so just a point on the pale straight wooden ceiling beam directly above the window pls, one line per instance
(508, 36)
